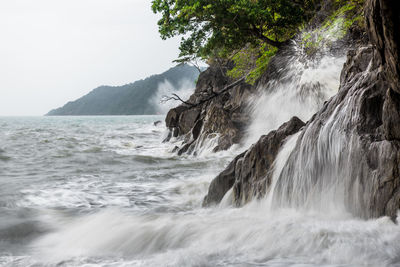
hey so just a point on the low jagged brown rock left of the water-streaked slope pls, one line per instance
(248, 172)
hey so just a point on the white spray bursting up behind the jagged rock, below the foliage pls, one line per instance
(300, 89)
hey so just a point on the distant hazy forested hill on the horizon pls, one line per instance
(129, 99)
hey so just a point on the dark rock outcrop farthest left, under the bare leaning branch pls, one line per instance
(215, 109)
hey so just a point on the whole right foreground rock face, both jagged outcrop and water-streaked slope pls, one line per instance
(348, 155)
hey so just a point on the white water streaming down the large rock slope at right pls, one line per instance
(317, 175)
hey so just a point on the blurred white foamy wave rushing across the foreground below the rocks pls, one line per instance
(245, 236)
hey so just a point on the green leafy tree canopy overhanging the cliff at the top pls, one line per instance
(220, 27)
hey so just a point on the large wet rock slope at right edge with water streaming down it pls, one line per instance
(350, 150)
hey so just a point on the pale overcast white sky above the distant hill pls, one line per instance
(55, 51)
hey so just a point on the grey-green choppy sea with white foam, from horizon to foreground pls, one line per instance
(106, 191)
